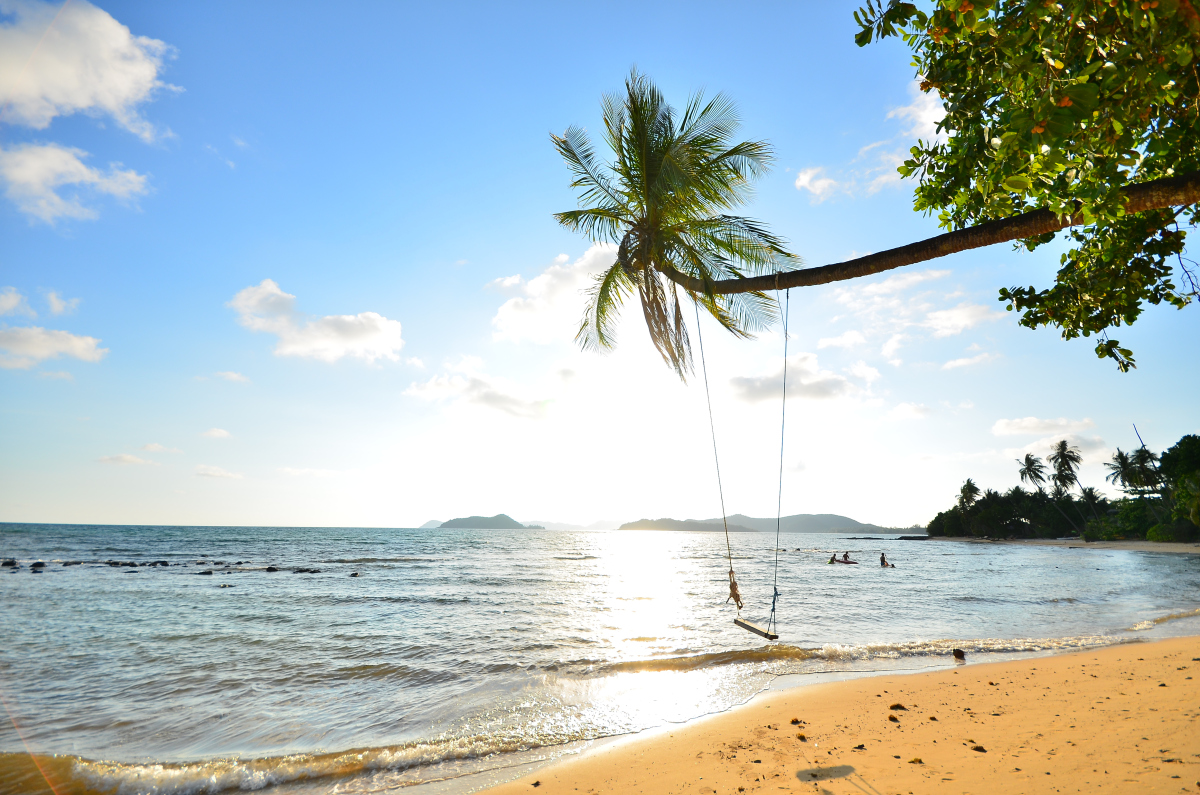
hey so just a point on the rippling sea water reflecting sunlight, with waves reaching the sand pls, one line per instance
(459, 653)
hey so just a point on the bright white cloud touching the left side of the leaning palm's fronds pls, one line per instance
(551, 304)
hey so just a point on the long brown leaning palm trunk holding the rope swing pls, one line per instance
(1172, 192)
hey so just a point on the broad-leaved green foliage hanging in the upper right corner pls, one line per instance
(1059, 106)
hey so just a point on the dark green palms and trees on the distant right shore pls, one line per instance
(1161, 503)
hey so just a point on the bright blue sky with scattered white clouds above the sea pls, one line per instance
(296, 265)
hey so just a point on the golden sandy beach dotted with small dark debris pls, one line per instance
(1117, 720)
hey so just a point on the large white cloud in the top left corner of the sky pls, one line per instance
(59, 59)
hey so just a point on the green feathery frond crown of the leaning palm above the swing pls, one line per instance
(663, 201)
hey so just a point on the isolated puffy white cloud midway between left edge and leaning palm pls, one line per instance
(367, 336)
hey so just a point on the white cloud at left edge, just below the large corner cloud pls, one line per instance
(34, 174)
